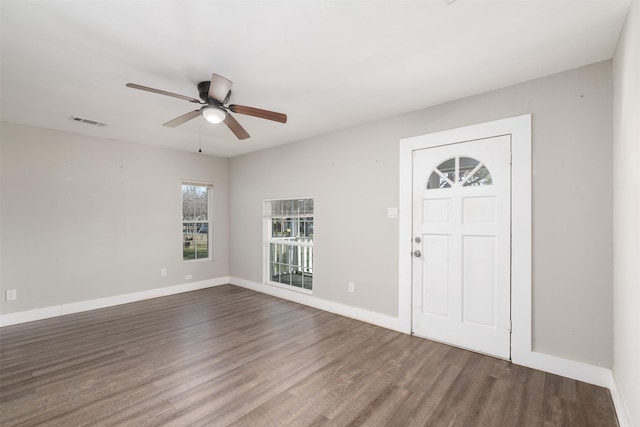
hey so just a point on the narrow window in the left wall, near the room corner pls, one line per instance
(196, 220)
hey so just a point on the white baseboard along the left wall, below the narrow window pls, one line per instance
(76, 307)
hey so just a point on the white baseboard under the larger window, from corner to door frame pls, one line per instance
(383, 320)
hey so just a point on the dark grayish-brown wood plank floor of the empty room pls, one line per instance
(230, 356)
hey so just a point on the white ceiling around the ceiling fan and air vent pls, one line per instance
(326, 64)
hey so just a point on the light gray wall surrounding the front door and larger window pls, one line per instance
(353, 174)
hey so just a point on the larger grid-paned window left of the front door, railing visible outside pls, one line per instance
(289, 242)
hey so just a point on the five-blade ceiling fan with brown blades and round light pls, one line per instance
(214, 95)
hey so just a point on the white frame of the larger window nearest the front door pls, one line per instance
(267, 240)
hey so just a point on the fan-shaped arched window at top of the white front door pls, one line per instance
(459, 172)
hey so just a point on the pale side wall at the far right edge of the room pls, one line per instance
(626, 181)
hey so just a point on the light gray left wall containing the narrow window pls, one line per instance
(85, 218)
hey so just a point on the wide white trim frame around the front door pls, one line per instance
(520, 130)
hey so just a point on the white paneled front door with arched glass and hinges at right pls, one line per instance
(462, 251)
